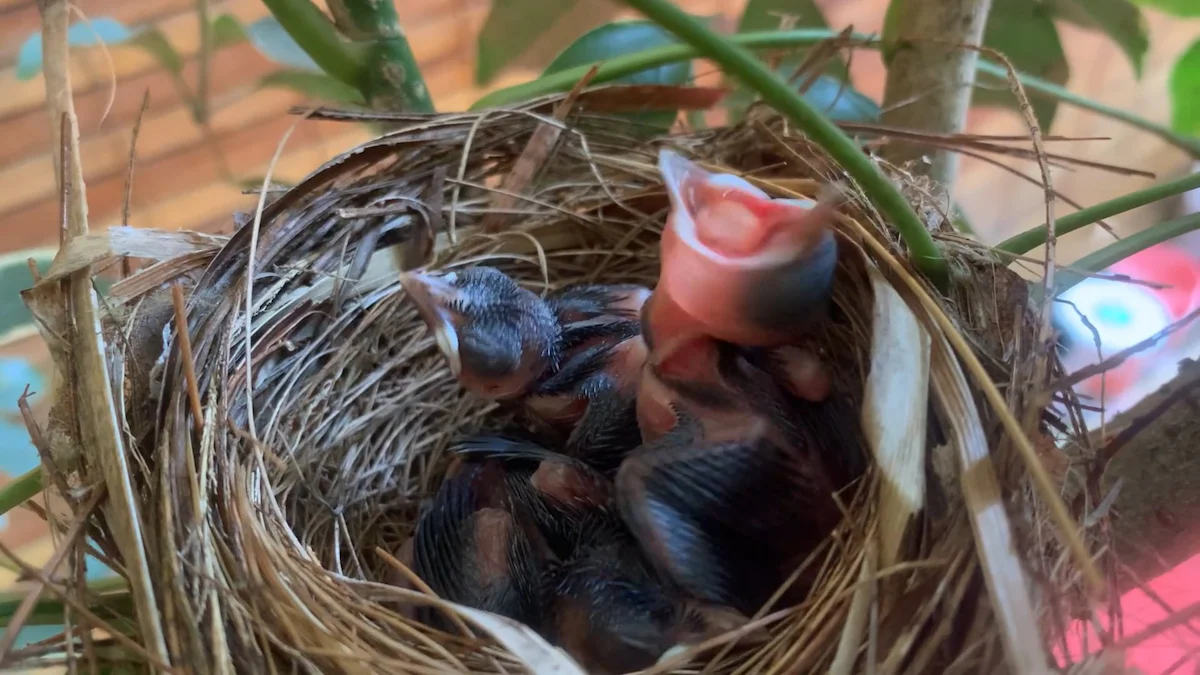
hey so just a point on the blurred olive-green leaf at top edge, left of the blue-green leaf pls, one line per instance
(512, 28)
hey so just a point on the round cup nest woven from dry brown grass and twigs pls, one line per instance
(260, 529)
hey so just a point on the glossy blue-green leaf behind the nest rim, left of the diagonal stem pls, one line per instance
(619, 39)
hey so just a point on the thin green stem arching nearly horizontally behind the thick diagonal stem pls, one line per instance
(565, 81)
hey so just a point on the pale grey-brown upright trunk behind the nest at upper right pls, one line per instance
(931, 80)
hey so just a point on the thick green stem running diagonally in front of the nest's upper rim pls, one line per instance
(741, 64)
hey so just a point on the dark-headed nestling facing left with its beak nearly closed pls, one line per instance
(571, 363)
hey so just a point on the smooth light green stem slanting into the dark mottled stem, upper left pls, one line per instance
(316, 35)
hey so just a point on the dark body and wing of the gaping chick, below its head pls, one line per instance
(735, 486)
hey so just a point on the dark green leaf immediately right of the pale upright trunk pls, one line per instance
(1024, 31)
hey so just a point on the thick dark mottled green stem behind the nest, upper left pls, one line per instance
(393, 80)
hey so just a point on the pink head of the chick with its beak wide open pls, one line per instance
(741, 267)
